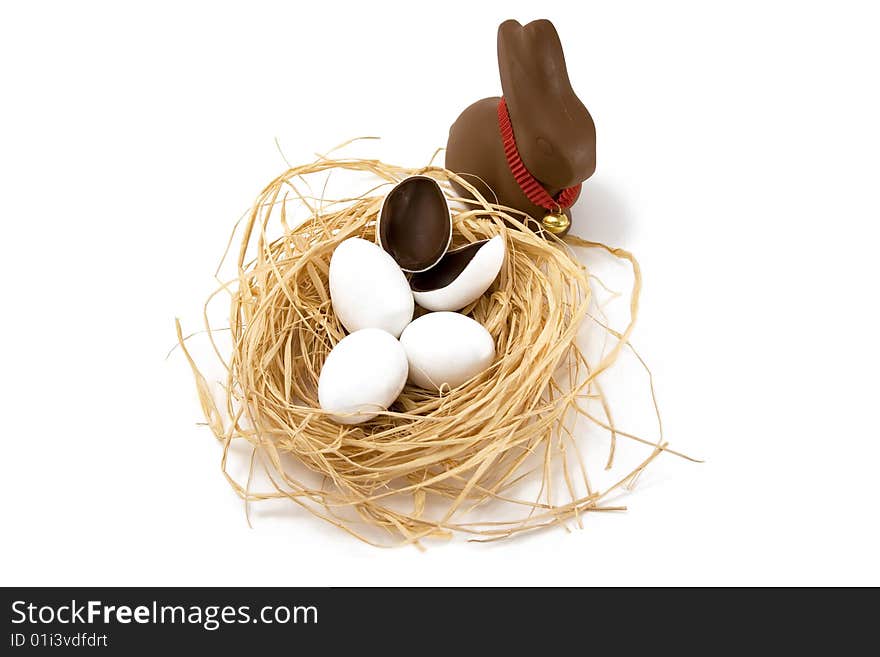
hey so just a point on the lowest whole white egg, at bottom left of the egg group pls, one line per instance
(362, 376)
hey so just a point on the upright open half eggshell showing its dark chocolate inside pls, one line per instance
(415, 224)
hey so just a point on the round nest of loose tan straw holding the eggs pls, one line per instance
(434, 464)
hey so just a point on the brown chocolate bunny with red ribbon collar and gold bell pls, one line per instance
(534, 146)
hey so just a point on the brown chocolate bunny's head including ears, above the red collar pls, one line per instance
(555, 134)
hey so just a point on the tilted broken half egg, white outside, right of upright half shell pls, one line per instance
(461, 276)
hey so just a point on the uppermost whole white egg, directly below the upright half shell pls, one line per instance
(368, 288)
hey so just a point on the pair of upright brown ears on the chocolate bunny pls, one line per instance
(530, 59)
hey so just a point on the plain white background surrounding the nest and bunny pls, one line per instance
(738, 159)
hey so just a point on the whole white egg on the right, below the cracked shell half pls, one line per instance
(446, 349)
